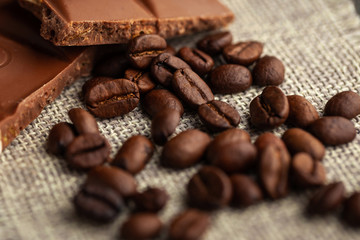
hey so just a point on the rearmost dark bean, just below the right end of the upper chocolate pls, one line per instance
(215, 43)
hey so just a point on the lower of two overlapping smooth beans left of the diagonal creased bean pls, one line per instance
(164, 125)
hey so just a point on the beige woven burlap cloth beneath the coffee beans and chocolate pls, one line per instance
(319, 43)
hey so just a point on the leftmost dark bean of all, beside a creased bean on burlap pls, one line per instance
(60, 136)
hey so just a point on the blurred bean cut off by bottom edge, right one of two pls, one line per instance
(189, 225)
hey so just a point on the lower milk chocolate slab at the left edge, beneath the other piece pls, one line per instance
(33, 72)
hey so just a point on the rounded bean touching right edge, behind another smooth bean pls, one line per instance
(345, 104)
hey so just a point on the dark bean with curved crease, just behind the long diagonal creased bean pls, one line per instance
(199, 61)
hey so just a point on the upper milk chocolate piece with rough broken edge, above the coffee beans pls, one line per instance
(92, 22)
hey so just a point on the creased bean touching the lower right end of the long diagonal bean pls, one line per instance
(218, 116)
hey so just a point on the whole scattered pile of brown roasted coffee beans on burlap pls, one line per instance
(236, 172)
